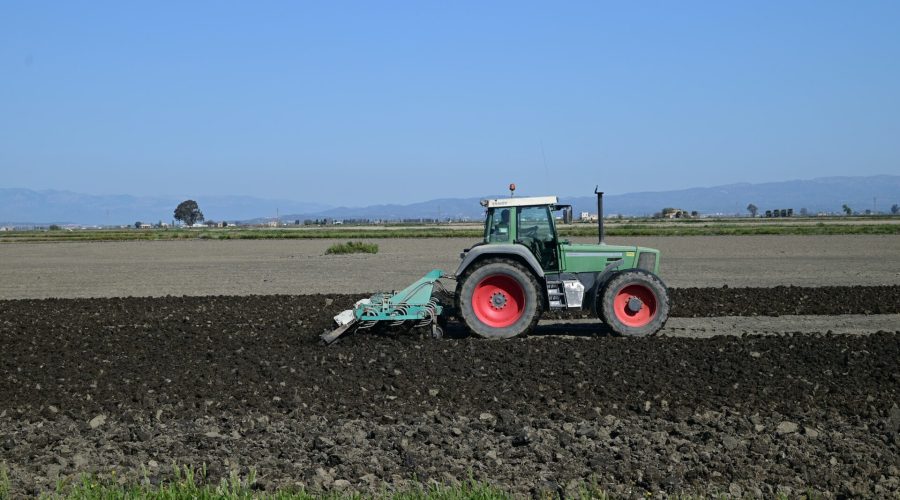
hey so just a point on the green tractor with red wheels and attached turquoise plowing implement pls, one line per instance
(521, 269)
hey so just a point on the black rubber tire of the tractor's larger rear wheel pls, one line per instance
(509, 271)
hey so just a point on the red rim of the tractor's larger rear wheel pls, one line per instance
(498, 300)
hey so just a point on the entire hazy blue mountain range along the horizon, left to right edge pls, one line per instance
(827, 194)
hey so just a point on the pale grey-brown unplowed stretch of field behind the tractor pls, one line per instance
(266, 267)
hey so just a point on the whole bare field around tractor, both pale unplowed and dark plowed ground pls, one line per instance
(787, 380)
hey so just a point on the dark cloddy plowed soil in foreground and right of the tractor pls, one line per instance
(133, 385)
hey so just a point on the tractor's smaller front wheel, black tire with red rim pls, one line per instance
(654, 308)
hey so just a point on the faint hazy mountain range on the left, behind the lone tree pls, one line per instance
(24, 206)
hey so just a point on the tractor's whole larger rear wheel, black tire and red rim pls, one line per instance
(499, 299)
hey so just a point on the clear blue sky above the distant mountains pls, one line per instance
(379, 102)
